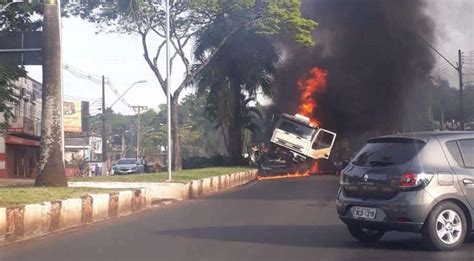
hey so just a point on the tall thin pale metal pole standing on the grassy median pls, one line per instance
(168, 86)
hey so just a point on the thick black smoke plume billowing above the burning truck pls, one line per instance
(375, 60)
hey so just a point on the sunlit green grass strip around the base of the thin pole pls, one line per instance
(178, 176)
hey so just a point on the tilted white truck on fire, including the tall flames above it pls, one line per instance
(298, 142)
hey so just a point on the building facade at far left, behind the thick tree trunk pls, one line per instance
(20, 143)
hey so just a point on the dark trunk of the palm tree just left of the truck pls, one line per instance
(235, 129)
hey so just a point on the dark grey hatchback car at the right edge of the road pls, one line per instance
(418, 182)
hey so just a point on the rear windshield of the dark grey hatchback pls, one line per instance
(383, 152)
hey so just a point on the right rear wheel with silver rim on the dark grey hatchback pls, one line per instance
(445, 228)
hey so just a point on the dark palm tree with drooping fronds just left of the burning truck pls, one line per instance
(243, 66)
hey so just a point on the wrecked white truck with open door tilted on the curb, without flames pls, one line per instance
(295, 144)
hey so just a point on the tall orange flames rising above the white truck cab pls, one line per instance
(311, 83)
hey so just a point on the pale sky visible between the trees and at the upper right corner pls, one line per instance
(120, 58)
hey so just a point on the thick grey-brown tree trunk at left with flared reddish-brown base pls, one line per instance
(51, 169)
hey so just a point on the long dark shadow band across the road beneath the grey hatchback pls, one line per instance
(325, 236)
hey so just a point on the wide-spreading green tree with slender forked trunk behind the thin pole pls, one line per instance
(188, 20)
